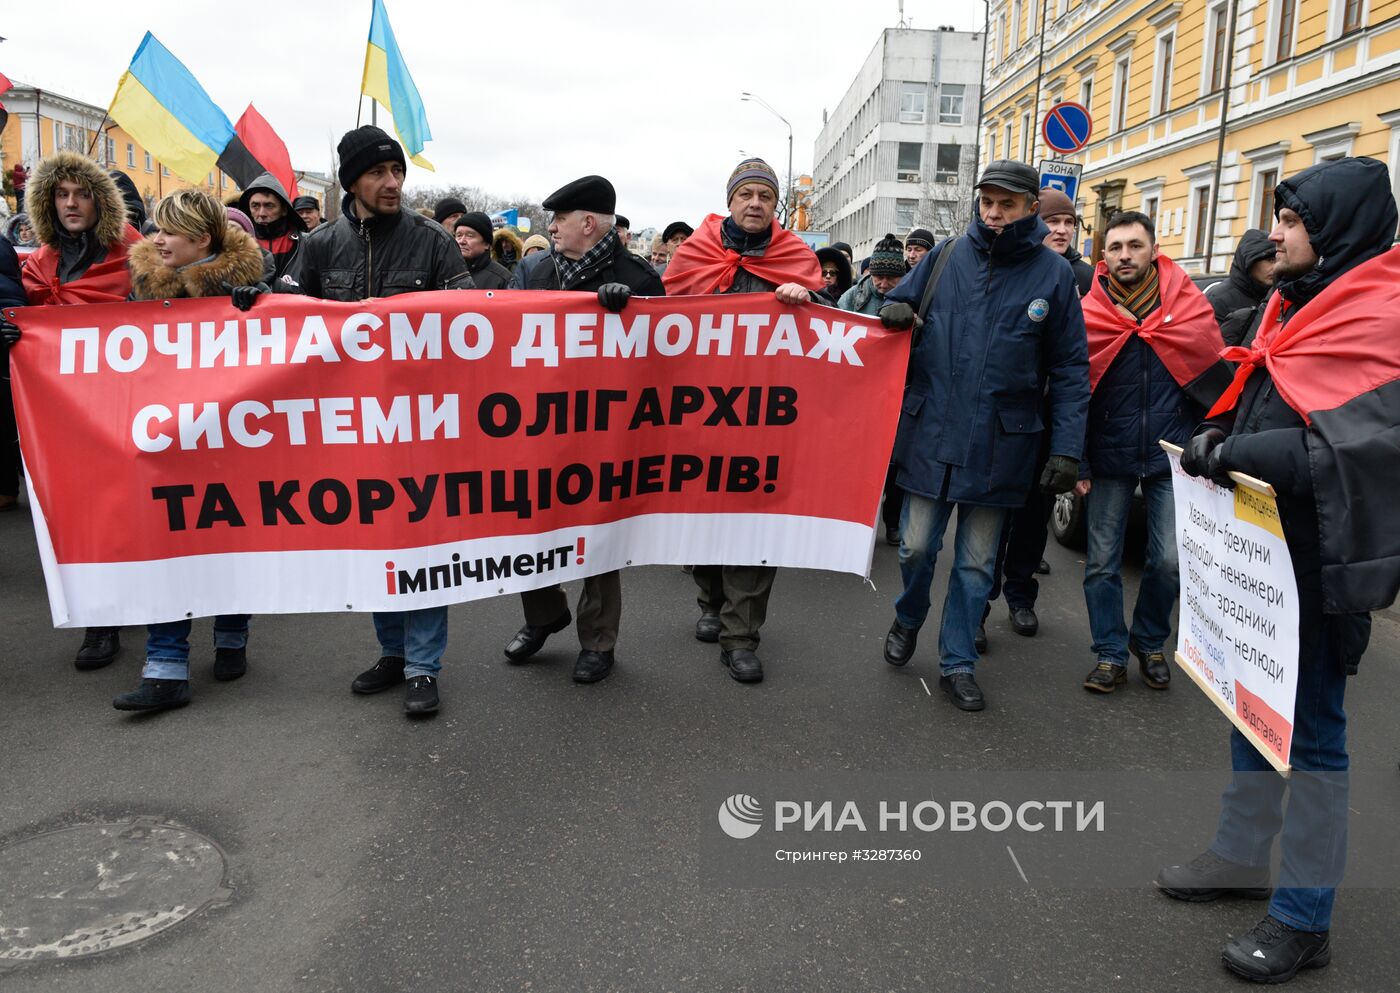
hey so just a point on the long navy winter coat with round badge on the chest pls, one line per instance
(1004, 326)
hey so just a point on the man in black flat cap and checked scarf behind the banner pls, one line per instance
(586, 256)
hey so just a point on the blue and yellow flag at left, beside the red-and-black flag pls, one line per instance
(162, 106)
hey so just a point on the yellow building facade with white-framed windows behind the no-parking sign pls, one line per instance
(1307, 81)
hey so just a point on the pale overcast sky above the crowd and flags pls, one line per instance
(521, 96)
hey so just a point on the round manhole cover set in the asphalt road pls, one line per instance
(85, 890)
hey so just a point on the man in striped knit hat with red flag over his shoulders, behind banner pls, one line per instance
(744, 253)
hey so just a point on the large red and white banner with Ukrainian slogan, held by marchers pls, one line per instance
(188, 460)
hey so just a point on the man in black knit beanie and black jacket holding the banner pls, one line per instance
(377, 249)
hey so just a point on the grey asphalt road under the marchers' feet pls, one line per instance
(540, 835)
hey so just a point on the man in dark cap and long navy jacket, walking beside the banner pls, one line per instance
(1003, 326)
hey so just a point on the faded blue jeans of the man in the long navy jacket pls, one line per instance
(922, 527)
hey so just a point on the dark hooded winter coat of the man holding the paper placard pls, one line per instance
(1350, 218)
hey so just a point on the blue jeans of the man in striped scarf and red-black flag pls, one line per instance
(1108, 522)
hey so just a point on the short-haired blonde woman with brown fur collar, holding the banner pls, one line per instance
(195, 253)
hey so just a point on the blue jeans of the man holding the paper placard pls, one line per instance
(1314, 842)
